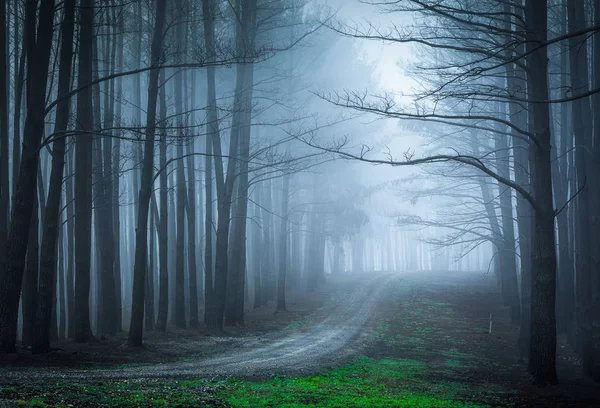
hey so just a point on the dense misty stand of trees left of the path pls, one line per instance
(146, 181)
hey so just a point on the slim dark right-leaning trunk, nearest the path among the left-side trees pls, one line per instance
(141, 235)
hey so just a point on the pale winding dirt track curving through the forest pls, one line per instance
(324, 341)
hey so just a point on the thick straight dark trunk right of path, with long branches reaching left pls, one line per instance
(542, 350)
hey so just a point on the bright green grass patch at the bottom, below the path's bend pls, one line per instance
(364, 383)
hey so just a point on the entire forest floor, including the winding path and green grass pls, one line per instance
(403, 340)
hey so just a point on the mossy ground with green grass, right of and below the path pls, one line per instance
(429, 347)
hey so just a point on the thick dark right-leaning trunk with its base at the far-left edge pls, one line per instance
(39, 47)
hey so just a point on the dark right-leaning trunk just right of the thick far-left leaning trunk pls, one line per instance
(50, 229)
